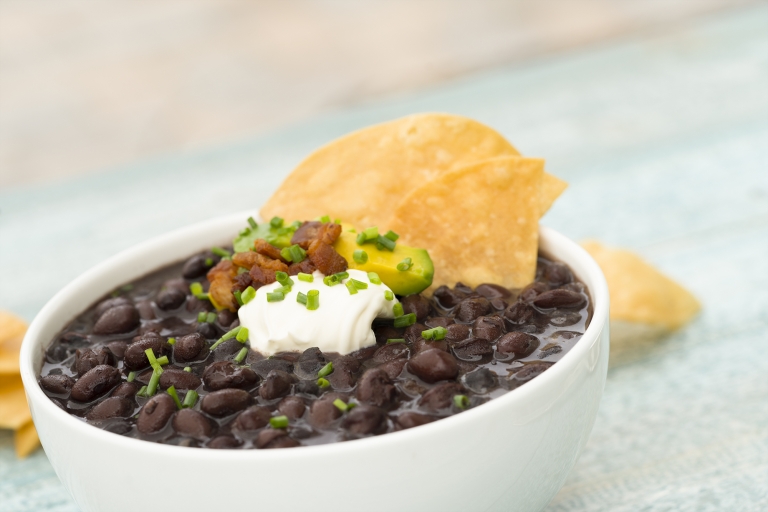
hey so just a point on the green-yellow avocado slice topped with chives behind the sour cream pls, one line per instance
(384, 263)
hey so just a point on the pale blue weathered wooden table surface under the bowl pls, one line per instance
(664, 140)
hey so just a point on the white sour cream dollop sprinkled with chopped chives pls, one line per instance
(341, 324)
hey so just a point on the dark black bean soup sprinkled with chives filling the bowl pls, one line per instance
(98, 370)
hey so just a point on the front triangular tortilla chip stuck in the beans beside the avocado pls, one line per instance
(479, 223)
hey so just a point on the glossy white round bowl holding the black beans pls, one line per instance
(512, 453)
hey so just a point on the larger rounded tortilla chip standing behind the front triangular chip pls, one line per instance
(361, 177)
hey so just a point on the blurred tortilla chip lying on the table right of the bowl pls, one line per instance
(639, 292)
